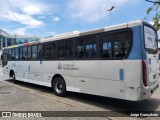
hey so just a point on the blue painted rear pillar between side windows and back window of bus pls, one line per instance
(138, 50)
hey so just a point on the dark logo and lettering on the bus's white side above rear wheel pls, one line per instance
(67, 67)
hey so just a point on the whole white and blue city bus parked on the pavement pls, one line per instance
(120, 61)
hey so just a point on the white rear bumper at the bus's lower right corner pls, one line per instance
(146, 92)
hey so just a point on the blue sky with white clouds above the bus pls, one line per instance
(50, 17)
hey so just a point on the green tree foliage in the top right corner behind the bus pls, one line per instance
(156, 10)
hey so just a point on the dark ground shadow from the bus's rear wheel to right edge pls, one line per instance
(116, 104)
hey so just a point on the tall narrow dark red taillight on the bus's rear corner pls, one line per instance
(144, 73)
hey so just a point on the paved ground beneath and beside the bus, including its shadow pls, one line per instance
(29, 97)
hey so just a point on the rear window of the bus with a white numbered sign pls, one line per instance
(151, 40)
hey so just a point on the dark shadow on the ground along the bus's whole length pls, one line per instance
(106, 103)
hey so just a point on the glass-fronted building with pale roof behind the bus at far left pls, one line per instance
(7, 39)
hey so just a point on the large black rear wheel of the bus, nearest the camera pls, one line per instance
(59, 86)
